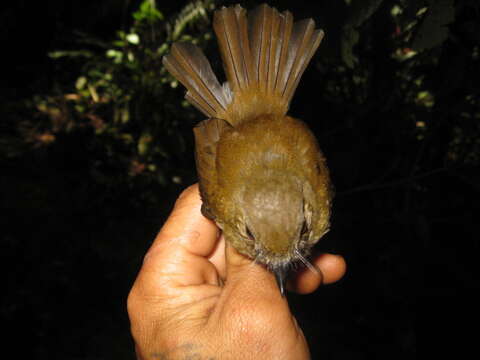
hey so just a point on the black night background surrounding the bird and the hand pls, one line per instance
(400, 134)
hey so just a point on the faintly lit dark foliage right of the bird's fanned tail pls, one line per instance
(399, 76)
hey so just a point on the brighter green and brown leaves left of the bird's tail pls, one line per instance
(122, 98)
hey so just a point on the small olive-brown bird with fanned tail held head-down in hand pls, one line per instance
(263, 178)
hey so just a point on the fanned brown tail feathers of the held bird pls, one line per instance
(264, 56)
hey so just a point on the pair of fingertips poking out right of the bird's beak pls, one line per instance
(331, 269)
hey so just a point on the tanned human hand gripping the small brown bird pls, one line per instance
(196, 297)
